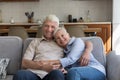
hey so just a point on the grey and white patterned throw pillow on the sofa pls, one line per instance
(3, 65)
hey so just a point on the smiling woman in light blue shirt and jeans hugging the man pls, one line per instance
(73, 49)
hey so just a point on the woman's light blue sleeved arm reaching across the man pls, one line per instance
(76, 50)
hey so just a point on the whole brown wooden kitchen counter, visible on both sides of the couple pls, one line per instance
(103, 30)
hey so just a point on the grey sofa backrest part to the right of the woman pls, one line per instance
(98, 49)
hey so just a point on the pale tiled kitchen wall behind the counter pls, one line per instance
(99, 10)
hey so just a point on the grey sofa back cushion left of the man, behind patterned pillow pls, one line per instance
(11, 47)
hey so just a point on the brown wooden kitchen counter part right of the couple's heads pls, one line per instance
(105, 32)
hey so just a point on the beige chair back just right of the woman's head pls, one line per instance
(76, 31)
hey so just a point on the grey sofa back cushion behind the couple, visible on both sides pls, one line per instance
(98, 49)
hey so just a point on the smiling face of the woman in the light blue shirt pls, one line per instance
(62, 38)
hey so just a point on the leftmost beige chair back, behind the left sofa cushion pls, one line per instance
(18, 31)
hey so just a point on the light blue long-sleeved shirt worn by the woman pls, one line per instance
(73, 51)
